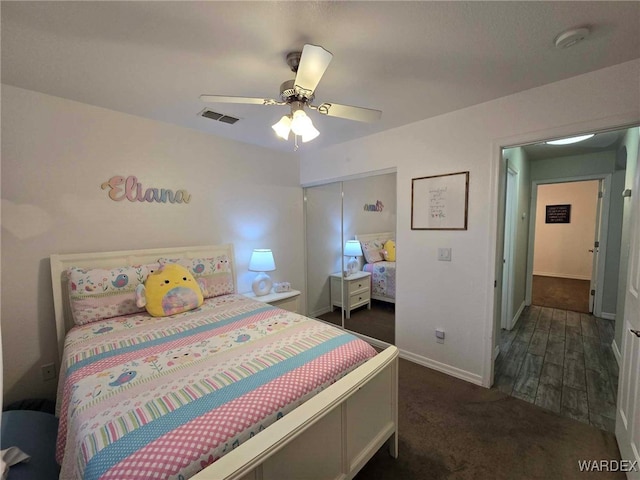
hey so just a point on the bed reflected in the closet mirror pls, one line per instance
(383, 273)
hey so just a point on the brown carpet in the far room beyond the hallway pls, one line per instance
(564, 293)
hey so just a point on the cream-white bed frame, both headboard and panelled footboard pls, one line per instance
(330, 436)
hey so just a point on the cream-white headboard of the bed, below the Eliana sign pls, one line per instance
(60, 264)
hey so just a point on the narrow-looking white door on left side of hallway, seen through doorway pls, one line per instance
(511, 203)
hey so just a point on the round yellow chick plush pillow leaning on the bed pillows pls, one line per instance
(168, 291)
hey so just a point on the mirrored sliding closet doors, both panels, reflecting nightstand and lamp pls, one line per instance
(350, 235)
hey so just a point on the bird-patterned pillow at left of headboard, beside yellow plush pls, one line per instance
(96, 294)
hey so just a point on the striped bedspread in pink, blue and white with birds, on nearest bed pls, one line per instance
(143, 397)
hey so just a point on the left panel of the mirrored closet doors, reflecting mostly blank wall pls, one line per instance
(323, 219)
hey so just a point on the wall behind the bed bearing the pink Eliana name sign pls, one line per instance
(56, 154)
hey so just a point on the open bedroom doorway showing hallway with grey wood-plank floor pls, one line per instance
(557, 358)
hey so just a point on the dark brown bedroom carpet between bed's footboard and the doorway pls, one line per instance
(452, 429)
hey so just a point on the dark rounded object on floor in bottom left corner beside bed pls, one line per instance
(35, 434)
